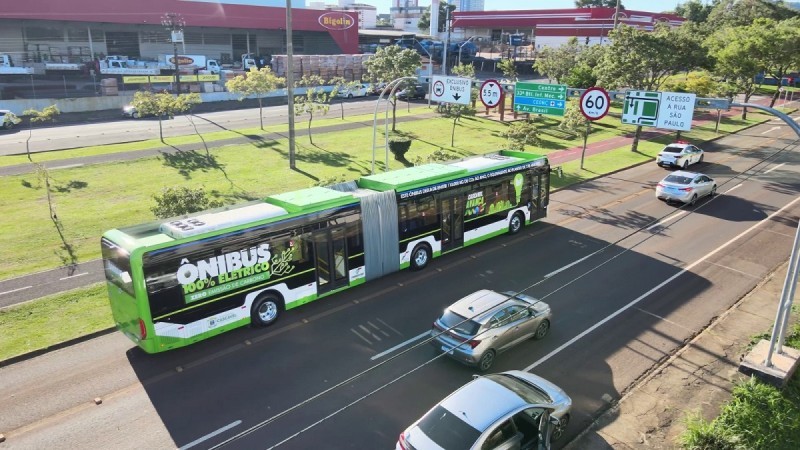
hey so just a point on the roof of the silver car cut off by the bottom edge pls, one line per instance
(481, 402)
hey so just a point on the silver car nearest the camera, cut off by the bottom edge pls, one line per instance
(509, 410)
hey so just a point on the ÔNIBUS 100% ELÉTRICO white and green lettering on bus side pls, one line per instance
(219, 274)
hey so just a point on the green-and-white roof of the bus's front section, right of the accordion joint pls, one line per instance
(428, 174)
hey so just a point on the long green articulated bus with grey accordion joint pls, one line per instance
(178, 281)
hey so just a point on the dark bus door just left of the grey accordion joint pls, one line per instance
(330, 260)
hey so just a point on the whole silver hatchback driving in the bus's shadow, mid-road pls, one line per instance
(485, 323)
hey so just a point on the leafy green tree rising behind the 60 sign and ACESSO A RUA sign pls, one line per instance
(642, 60)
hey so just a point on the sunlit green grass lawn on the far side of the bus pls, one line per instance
(91, 199)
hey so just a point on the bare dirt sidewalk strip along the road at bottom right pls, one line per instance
(699, 378)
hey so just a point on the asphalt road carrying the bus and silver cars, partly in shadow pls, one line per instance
(630, 279)
